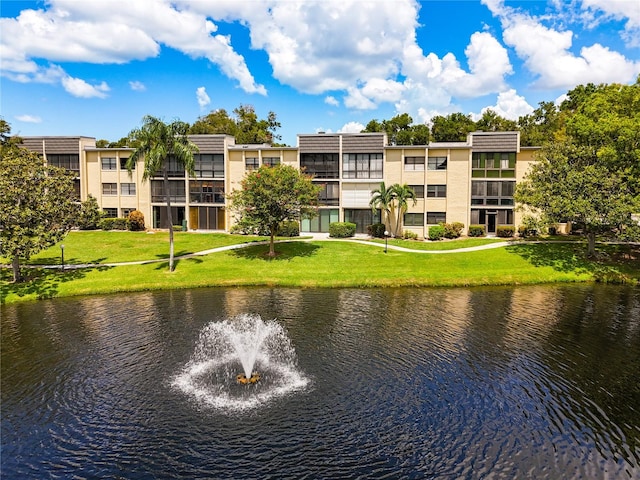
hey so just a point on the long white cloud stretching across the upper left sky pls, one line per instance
(100, 32)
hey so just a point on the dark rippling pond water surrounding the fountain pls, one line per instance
(528, 382)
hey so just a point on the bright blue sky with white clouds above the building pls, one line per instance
(97, 67)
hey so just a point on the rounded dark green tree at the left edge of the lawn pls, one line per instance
(36, 205)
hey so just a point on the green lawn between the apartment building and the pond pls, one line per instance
(306, 264)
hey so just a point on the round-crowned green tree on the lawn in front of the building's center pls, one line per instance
(271, 195)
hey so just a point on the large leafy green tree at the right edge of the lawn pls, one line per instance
(590, 173)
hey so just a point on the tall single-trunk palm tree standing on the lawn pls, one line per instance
(156, 143)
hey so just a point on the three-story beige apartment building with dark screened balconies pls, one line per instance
(468, 182)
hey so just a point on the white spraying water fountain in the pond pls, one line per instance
(244, 344)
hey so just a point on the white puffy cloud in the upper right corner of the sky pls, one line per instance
(547, 52)
